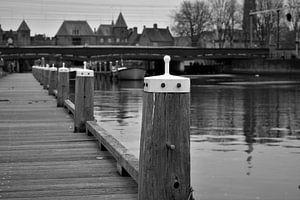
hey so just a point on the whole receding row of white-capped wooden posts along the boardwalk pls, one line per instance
(164, 164)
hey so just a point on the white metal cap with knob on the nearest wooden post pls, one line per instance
(167, 83)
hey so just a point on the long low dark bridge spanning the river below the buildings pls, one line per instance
(130, 52)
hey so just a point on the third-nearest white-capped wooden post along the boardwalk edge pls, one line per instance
(62, 86)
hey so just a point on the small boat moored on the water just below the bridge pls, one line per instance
(124, 73)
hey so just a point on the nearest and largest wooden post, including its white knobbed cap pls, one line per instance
(164, 163)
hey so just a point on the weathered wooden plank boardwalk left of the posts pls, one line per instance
(41, 157)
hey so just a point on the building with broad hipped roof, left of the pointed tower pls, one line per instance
(75, 32)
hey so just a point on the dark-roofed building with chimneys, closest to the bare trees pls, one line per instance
(156, 37)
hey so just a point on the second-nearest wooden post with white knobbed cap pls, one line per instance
(84, 98)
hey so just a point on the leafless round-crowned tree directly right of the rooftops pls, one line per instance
(192, 19)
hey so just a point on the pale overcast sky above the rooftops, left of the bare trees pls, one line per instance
(46, 16)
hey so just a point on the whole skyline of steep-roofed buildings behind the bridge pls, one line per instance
(79, 32)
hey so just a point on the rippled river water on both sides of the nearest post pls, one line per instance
(245, 133)
